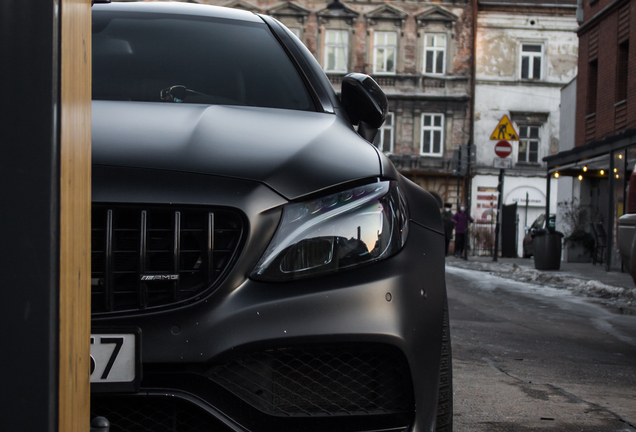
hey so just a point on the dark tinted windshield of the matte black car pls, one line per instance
(177, 58)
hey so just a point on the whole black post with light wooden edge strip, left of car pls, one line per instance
(45, 62)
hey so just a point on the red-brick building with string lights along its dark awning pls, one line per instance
(597, 170)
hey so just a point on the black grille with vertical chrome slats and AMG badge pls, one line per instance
(144, 258)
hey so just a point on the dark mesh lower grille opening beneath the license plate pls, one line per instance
(153, 414)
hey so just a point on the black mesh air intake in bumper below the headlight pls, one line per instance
(329, 381)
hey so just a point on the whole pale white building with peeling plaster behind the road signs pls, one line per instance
(526, 52)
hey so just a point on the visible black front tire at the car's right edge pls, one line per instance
(444, 421)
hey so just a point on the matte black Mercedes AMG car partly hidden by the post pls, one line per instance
(257, 264)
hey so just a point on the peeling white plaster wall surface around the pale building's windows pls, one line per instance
(500, 91)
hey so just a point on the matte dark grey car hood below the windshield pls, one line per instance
(293, 152)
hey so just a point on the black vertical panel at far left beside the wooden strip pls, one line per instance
(29, 193)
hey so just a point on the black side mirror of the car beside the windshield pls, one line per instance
(365, 103)
